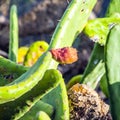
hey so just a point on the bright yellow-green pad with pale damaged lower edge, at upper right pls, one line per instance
(98, 29)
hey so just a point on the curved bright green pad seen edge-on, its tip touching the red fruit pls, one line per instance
(26, 81)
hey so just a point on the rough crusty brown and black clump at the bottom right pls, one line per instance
(85, 104)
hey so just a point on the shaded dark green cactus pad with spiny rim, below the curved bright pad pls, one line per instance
(15, 109)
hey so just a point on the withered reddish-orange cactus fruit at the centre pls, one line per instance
(66, 55)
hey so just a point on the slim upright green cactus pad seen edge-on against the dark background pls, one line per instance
(13, 46)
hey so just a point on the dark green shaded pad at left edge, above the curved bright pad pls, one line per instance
(9, 71)
